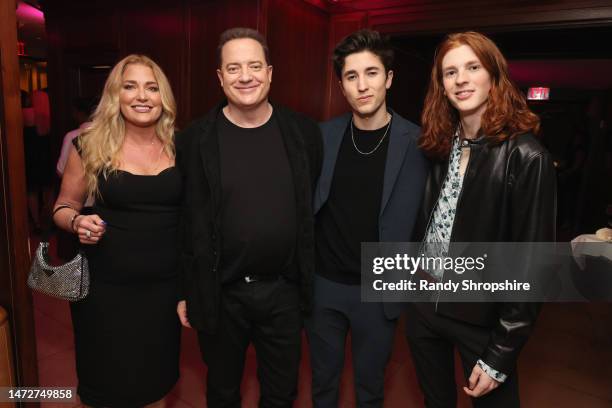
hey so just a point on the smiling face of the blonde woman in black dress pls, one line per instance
(139, 97)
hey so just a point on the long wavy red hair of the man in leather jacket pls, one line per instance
(507, 114)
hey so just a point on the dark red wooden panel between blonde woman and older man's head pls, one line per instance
(207, 20)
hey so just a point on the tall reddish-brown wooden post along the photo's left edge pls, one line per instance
(14, 254)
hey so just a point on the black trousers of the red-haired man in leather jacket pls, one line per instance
(432, 339)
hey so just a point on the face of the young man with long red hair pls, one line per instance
(466, 82)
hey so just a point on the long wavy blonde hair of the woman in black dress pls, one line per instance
(101, 141)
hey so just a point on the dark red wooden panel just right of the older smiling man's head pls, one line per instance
(297, 36)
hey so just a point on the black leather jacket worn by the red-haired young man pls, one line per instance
(508, 195)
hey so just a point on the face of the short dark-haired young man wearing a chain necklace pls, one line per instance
(364, 83)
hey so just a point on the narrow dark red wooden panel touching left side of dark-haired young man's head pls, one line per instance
(340, 27)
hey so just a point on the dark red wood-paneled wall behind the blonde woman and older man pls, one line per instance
(182, 37)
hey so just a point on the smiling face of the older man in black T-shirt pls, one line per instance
(244, 74)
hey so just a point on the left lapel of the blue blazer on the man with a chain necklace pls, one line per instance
(332, 139)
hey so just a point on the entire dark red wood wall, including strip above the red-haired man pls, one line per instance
(182, 36)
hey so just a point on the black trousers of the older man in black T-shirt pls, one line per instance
(268, 314)
